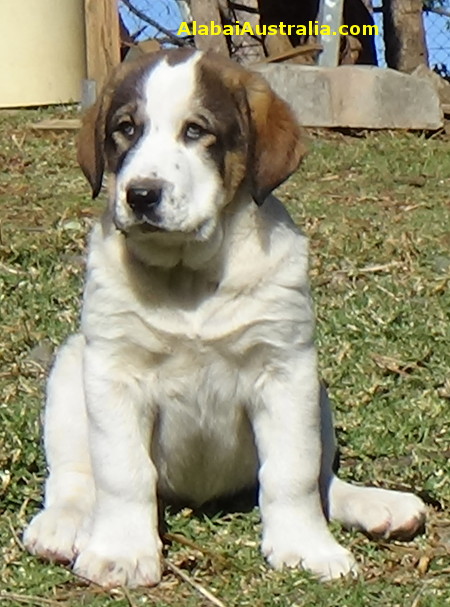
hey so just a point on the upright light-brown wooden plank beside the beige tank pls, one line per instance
(102, 38)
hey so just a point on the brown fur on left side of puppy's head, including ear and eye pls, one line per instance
(112, 125)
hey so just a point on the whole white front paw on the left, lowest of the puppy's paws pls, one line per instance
(131, 562)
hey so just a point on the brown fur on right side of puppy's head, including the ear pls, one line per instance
(275, 147)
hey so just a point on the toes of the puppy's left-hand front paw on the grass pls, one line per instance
(109, 572)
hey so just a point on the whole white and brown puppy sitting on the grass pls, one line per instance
(194, 374)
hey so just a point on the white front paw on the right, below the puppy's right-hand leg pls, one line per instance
(322, 556)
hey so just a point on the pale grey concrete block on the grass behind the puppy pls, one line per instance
(355, 96)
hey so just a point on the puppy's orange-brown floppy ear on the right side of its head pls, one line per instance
(277, 146)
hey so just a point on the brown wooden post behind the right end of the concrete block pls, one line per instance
(404, 34)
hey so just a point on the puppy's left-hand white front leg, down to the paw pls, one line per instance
(124, 547)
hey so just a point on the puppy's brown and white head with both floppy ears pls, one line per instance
(181, 134)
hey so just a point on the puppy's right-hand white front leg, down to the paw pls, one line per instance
(287, 432)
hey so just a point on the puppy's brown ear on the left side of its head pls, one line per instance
(90, 148)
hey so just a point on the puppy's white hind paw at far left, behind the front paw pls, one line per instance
(55, 532)
